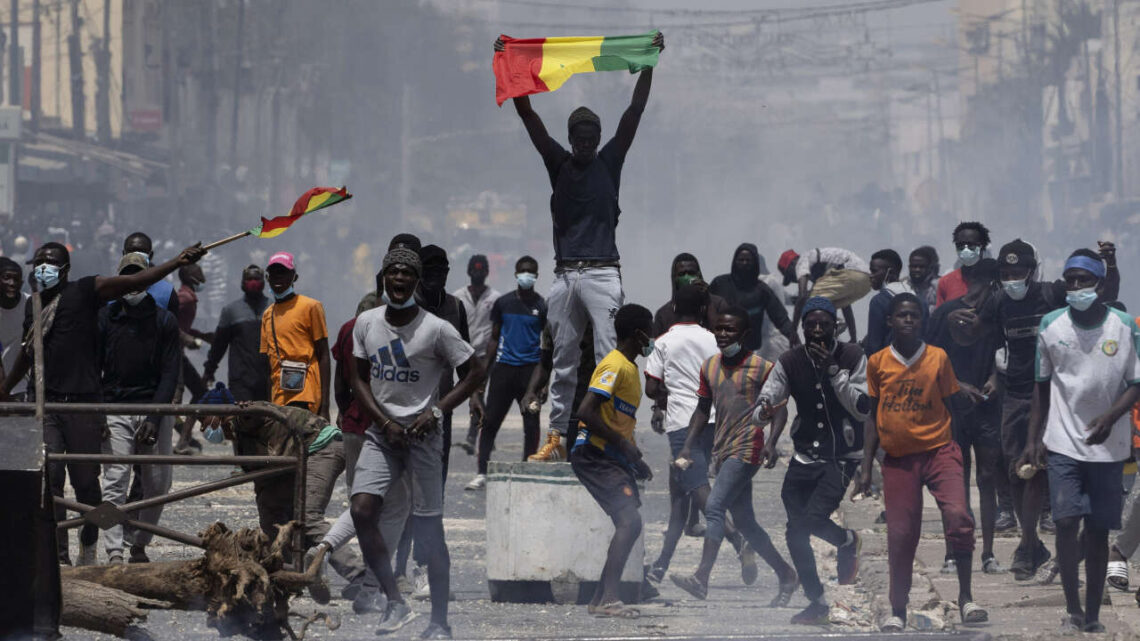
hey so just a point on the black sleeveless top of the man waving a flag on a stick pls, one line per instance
(71, 347)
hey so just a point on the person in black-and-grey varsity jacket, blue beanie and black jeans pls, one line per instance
(828, 380)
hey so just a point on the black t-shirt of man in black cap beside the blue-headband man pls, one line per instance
(1019, 322)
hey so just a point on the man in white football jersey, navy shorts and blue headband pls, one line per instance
(1088, 378)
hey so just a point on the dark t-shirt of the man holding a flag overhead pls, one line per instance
(584, 204)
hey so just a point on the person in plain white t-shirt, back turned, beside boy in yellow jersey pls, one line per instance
(672, 377)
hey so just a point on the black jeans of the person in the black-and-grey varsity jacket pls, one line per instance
(811, 493)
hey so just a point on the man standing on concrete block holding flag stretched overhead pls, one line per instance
(584, 206)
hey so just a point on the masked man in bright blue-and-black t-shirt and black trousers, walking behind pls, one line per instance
(514, 351)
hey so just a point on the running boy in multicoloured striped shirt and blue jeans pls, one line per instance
(731, 383)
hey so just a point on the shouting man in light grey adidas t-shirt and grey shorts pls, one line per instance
(401, 353)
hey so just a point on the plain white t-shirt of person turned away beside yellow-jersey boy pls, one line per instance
(677, 361)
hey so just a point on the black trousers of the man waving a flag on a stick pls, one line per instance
(76, 434)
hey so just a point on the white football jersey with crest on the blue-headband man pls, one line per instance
(1088, 369)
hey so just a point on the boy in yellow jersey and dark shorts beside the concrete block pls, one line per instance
(606, 459)
